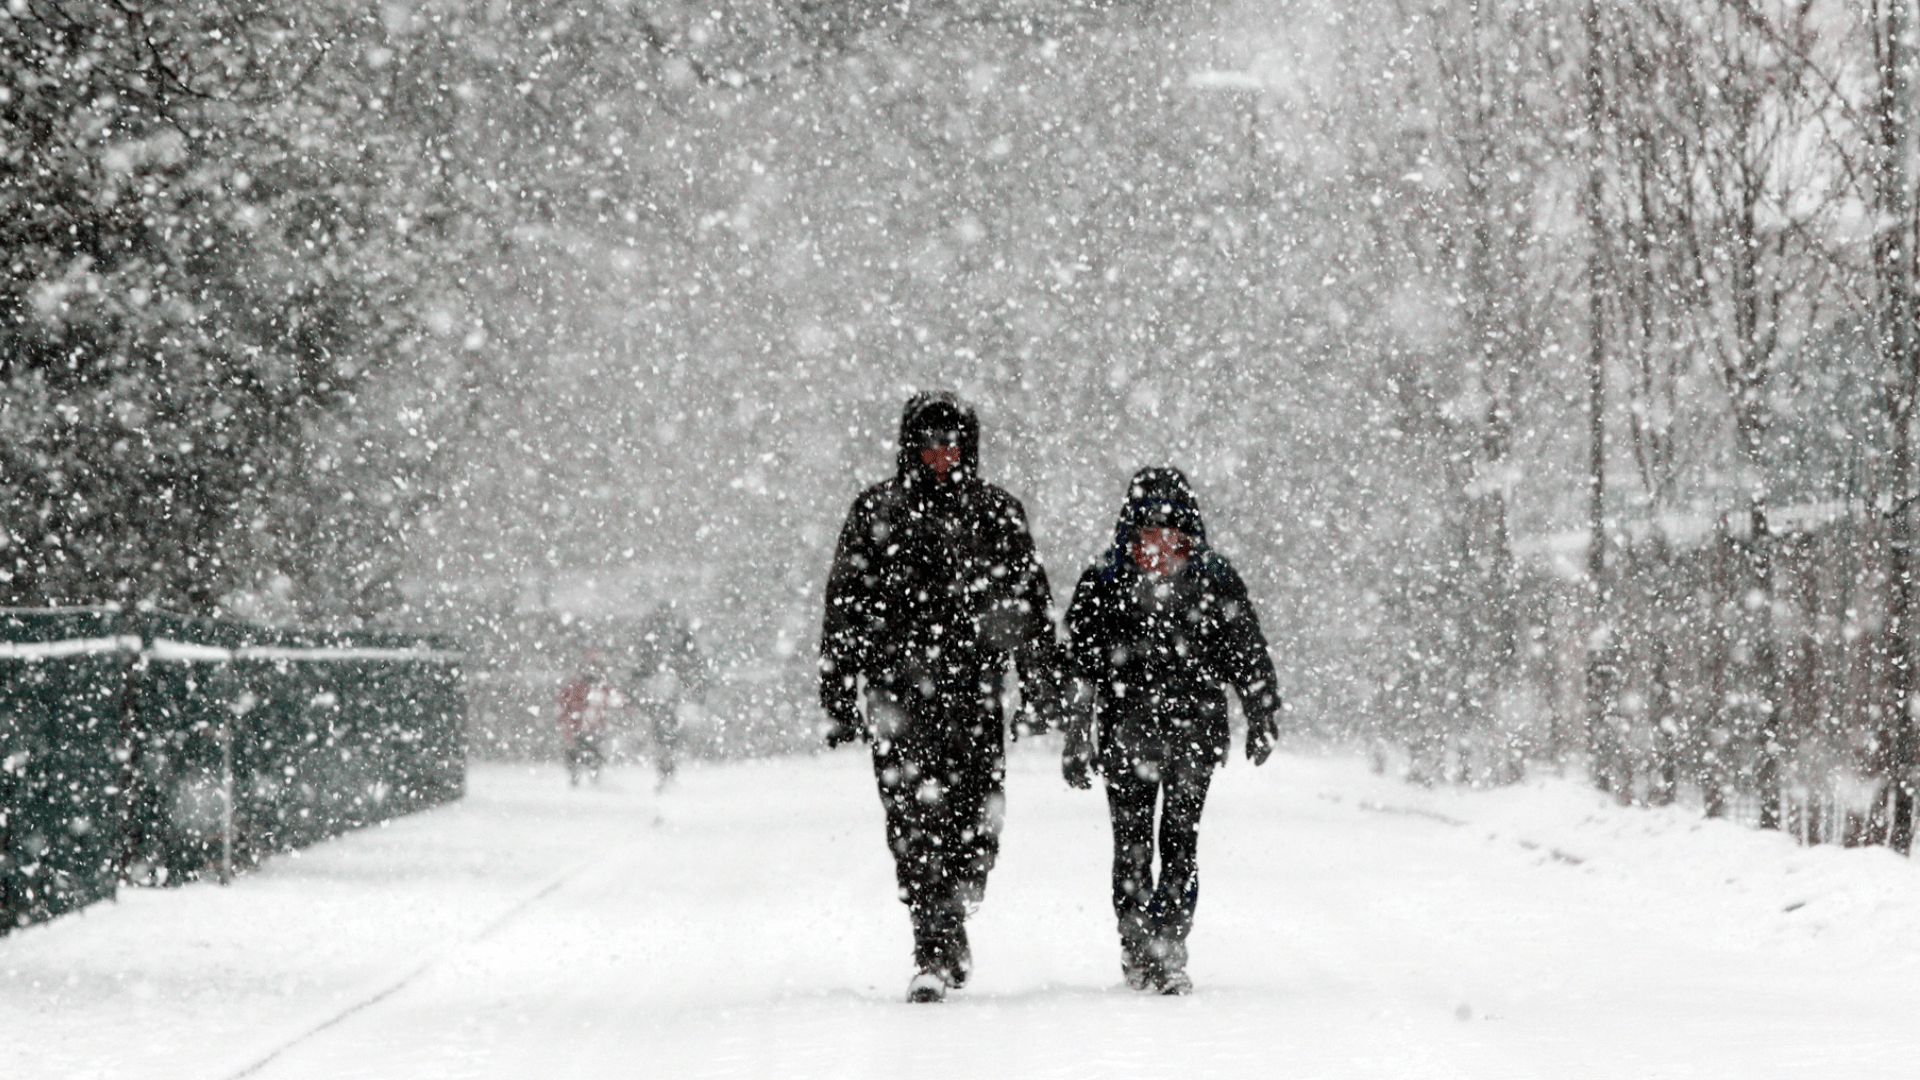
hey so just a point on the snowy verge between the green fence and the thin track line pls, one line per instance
(204, 981)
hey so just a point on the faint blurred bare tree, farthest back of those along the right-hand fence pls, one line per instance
(1491, 174)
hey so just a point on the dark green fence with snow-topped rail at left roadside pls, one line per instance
(156, 749)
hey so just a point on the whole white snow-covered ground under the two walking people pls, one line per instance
(744, 925)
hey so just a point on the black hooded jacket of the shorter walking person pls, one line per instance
(1159, 652)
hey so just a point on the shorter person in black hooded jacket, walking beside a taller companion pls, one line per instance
(1161, 626)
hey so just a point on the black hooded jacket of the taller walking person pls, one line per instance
(936, 585)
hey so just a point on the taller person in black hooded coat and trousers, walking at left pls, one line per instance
(934, 591)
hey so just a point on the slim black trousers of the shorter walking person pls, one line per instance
(1147, 906)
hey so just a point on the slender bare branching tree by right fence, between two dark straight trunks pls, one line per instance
(1731, 209)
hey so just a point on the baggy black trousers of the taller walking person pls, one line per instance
(944, 787)
